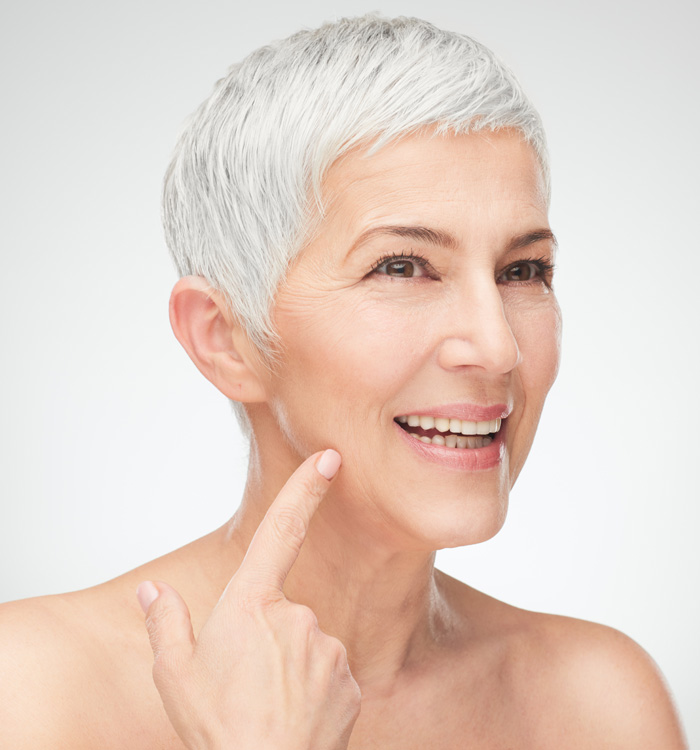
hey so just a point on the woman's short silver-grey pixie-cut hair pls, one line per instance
(242, 194)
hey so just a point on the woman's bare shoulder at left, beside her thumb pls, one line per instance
(70, 664)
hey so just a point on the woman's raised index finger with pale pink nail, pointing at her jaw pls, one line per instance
(278, 540)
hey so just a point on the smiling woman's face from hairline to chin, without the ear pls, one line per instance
(426, 293)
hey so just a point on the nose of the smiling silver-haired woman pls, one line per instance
(479, 334)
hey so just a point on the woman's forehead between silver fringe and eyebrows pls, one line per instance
(435, 177)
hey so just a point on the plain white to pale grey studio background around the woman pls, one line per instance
(115, 450)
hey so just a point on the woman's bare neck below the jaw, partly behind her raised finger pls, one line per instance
(369, 589)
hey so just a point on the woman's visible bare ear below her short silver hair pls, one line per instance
(216, 344)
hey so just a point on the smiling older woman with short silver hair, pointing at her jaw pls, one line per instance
(359, 216)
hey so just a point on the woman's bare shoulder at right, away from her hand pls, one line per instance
(577, 683)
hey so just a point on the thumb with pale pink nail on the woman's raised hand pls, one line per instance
(167, 620)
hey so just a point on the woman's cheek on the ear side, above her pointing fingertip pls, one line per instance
(342, 363)
